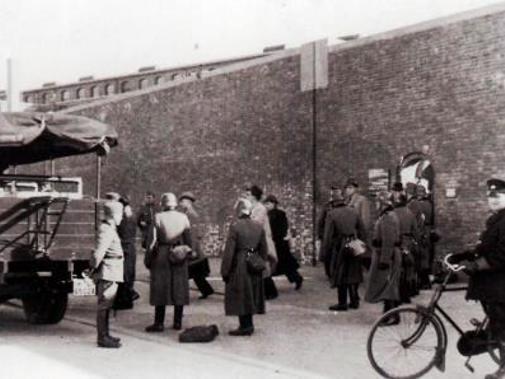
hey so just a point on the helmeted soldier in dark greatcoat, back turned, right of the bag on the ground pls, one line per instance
(244, 293)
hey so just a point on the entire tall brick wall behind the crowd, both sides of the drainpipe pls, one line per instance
(441, 86)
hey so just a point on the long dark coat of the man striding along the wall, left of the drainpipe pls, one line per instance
(279, 225)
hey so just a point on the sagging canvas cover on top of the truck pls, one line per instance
(31, 137)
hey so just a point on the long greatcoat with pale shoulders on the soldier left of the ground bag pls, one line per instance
(170, 282)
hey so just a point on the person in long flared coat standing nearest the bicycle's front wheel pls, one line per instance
(386, 266)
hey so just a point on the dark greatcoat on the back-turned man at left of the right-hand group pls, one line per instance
(343, 223)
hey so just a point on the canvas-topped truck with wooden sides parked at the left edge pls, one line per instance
(47, 224)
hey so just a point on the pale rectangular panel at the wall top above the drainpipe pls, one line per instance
(314, 65)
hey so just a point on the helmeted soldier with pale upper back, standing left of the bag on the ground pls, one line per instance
(169, 281)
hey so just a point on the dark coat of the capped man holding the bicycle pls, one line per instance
(488, 286)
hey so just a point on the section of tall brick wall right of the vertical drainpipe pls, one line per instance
(442, 87)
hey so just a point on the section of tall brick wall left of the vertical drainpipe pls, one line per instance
(213, 137)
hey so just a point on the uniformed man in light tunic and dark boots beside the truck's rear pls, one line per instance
(107, 265)
